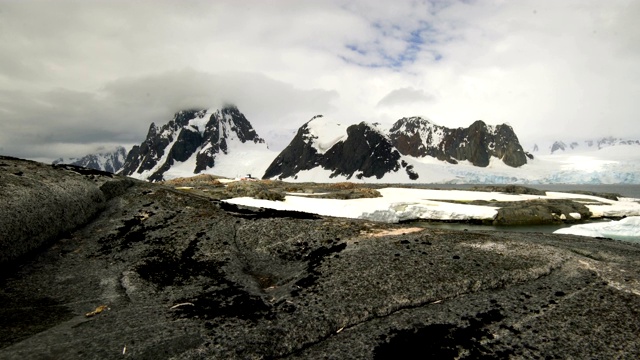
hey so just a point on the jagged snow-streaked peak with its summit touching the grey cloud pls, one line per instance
(196, 141)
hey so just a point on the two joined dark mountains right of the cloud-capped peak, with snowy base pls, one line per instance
(365, 151)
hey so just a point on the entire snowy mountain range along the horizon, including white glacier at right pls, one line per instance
(223, 142)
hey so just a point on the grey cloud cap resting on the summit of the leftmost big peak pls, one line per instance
(176, 90)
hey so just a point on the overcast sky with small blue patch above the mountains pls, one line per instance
(77, 77)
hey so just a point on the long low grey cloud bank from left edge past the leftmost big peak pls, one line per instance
(120, 113)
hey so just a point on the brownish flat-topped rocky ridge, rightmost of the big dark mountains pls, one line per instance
(419, 137)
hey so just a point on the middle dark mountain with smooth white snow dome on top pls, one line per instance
(359, 150)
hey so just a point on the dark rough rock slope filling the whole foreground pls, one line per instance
(100, 266)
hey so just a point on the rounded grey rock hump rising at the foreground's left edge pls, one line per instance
(40, 202)
